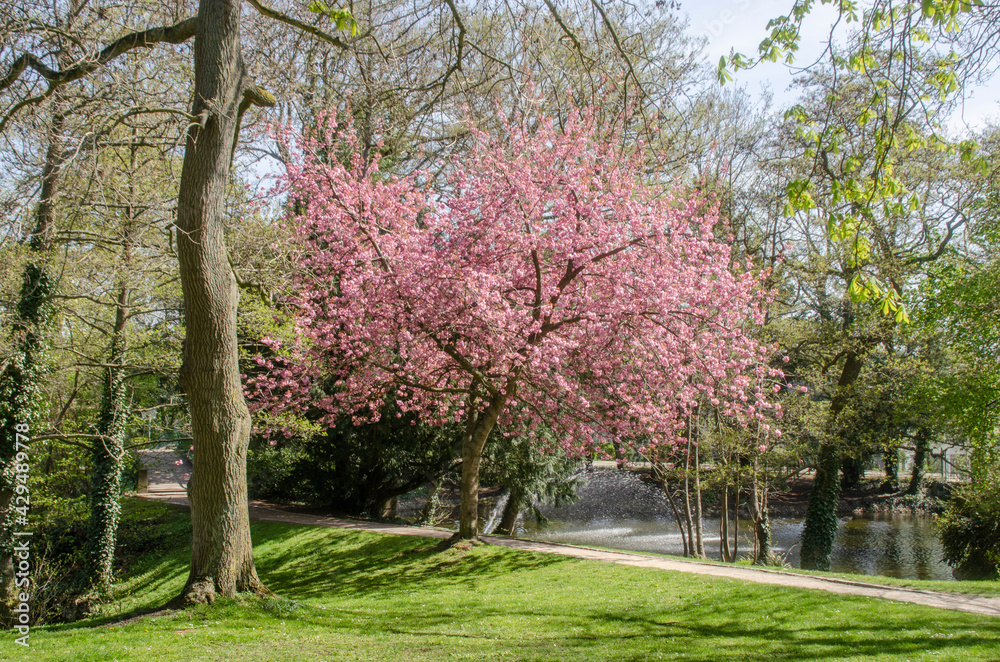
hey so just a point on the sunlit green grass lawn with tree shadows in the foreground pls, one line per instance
(363, 596)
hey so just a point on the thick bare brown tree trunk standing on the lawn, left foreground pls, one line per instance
(222, 556)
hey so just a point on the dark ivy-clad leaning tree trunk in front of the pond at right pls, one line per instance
(821, 512)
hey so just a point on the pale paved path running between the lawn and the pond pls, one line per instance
(260, 511)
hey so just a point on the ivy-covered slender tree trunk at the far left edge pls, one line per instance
(20, 382)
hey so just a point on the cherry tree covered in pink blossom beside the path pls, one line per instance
(553, 281)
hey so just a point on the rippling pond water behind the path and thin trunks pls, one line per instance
(619, 511)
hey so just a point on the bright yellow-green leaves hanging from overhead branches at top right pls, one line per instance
(876, 113)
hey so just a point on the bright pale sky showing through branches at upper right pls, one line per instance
(742, 24)
